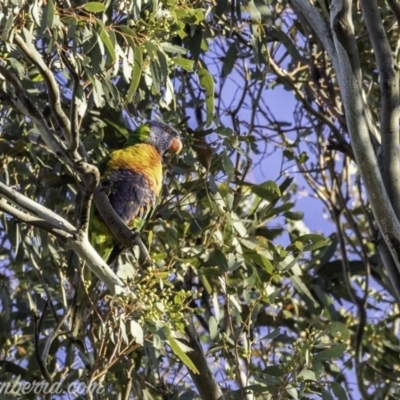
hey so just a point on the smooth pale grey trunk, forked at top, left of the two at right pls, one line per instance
(338, 40)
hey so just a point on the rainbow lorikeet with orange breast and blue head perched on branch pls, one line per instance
(132, 178)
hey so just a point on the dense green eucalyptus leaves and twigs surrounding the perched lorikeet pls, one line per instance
(280, 311)
